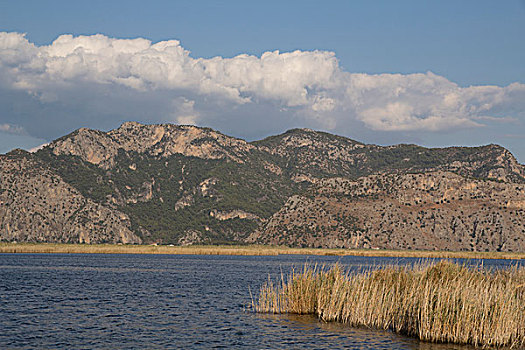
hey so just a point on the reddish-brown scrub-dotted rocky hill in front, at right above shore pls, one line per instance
(438, 210)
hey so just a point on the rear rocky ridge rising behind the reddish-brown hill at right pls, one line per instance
(317, 154)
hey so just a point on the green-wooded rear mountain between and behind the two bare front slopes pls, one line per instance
(231, 189)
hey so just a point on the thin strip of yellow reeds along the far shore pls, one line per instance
(57, 248)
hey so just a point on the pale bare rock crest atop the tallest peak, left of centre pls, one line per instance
(164, 140)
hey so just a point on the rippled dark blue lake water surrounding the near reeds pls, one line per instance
(167, 301)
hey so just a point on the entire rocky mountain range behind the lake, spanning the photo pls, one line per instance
(185, 185)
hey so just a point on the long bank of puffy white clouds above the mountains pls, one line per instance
(309, 88)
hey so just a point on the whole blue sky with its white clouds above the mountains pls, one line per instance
(441, 73)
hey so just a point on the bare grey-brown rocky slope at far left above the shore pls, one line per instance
(36, 205)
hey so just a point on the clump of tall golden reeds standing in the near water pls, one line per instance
(441, 302)
